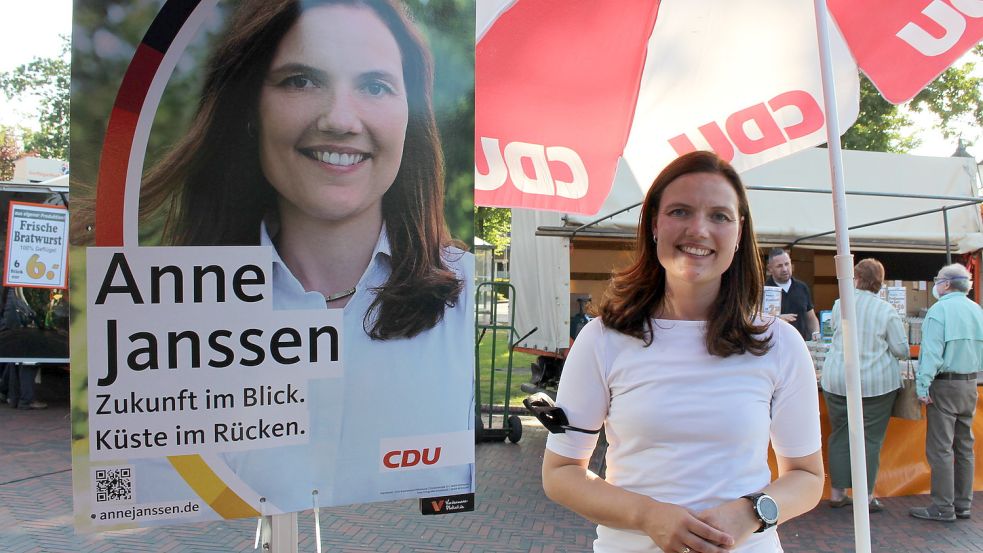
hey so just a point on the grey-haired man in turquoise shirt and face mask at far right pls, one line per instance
(951, 356)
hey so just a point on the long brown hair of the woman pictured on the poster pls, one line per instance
(215, 191)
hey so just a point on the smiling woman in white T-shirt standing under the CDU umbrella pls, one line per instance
(689, 385)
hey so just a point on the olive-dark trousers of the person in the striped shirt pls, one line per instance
(877, 413)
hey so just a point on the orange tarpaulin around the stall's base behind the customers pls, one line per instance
(904, 470)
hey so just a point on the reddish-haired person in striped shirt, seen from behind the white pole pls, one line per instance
(880, 340)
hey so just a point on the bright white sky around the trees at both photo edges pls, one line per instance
(31, 28)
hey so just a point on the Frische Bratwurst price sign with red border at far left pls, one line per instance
(36, 254)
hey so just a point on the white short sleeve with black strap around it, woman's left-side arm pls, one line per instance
(583, 393)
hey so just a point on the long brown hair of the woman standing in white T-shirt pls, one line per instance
(638, 291)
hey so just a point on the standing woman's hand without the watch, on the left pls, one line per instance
(676, 530)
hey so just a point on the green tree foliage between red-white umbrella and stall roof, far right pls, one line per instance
(955, 96)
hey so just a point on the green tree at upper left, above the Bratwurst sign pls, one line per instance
(47, 80)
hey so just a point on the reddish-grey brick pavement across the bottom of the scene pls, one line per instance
(512, 513)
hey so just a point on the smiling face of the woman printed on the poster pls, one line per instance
(333, 115)
